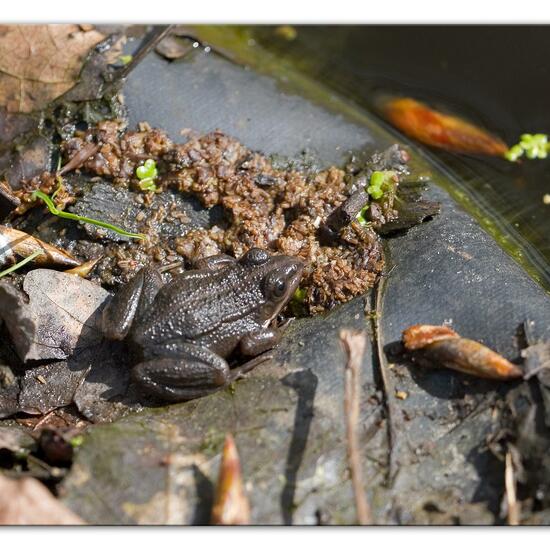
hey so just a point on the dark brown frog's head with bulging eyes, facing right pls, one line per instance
(278, 278)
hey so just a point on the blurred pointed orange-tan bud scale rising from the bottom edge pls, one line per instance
(231, 505)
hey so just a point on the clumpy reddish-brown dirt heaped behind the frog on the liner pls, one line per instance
(283, 210)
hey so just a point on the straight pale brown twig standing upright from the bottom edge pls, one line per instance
(354, 343)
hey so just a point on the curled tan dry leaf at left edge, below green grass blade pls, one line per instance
(23, 244)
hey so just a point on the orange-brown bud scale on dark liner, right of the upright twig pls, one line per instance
(457, 353)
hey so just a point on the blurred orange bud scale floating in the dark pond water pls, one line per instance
(434, 128)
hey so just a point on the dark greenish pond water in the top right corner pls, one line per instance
(497, 77)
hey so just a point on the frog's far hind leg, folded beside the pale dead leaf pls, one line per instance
(130, 302)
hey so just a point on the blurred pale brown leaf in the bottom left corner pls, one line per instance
(28, 502)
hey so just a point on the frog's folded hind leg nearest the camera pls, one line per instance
(181, 371)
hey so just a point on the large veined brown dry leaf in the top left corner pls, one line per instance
(40, 62)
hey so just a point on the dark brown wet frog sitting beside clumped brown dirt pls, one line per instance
(180, 334)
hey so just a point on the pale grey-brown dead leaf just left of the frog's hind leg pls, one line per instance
(59, 316)
